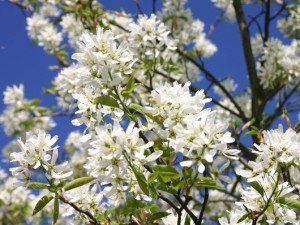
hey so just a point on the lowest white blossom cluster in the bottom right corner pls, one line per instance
(264, 204)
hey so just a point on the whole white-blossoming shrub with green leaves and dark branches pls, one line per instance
(154, 148)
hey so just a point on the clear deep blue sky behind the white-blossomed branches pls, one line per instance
(23, 62)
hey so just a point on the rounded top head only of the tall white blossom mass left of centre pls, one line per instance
(106, 59)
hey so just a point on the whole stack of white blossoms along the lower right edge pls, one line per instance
(273, 178)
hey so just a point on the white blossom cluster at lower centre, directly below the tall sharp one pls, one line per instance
(113, 156)
